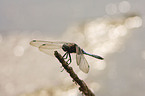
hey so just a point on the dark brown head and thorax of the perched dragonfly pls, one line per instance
(69, 47)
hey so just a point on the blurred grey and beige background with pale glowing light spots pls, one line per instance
(113, 29)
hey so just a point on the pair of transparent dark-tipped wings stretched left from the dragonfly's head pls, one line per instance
(47, 47)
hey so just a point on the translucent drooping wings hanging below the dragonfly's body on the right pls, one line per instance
(81, 61)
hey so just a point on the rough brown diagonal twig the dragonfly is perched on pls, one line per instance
(83, 87)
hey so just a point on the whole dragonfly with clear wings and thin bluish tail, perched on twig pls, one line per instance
(68, 48)
